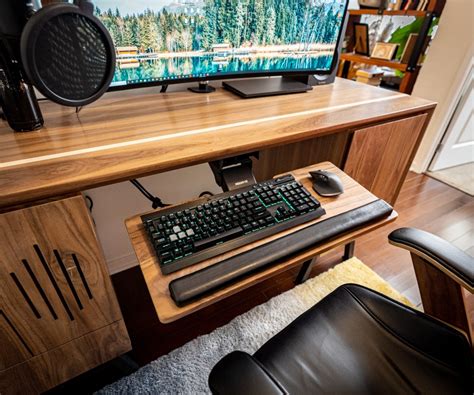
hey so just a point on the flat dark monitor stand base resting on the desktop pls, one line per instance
(258, 87)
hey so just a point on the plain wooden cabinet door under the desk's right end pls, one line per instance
(380, 156)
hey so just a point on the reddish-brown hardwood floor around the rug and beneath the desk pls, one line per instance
(423, 203)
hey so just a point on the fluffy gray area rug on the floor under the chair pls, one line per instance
(186, 369)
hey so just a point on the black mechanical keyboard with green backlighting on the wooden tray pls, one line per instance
(192, 232)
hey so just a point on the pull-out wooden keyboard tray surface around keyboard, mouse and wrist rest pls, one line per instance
(157, 283)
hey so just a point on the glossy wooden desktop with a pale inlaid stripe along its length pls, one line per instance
(139, 132)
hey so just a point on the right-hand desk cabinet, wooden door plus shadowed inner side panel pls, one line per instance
(378, 157)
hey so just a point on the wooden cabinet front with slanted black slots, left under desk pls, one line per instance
(55, 289)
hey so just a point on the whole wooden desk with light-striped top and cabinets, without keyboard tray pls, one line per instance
(372, 134)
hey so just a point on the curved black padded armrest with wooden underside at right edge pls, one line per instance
(443, 255)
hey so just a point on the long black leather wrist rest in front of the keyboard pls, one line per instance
(185, 289)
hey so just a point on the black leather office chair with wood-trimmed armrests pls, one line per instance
(356, 340)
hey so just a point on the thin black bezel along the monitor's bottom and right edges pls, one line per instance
(300, 73)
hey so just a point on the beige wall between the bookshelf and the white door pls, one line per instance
(441, 76)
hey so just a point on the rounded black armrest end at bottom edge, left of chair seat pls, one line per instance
(240, 373)
